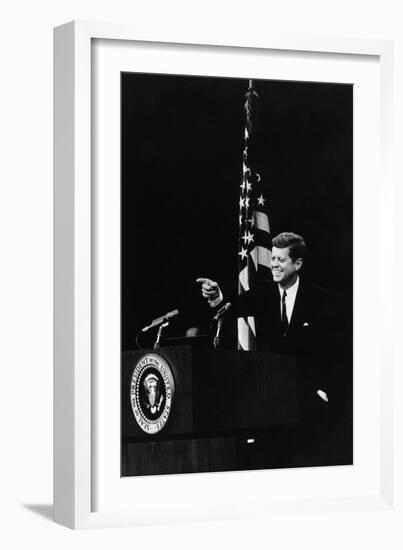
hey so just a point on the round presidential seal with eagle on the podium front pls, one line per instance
(151, 392)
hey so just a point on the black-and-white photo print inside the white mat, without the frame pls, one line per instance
(236, 274)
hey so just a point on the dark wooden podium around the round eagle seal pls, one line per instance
(225, 403)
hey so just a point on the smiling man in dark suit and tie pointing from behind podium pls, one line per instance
(294, 317)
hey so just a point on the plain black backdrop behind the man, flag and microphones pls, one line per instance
(182, 143)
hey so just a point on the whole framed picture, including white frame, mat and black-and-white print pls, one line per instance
(216, 203)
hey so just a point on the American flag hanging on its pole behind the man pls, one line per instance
(254, 230)
